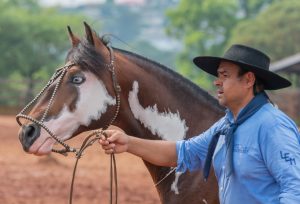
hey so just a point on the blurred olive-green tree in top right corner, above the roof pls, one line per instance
(275, 30)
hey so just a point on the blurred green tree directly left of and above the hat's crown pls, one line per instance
(205, 27)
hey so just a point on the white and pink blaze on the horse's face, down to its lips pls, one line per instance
(93, 100)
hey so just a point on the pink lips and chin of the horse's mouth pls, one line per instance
(42, 146)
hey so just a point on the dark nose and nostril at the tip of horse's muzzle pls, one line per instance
(28, 134)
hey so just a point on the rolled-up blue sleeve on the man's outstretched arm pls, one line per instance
(191, 153)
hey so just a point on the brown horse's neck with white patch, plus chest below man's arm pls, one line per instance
(154, 99)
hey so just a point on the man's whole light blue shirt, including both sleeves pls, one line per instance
(266, 158)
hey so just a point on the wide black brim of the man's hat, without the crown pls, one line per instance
(270, 80)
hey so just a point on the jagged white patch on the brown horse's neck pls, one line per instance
(167, 125)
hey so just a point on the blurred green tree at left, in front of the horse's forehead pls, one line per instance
(33, 41)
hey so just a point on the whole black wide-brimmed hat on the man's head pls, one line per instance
(248, 59)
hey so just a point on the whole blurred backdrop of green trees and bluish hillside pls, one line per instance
(34, 38)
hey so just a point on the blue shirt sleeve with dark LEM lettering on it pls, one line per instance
(280, 149)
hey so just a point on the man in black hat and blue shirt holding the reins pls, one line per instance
(254, 148)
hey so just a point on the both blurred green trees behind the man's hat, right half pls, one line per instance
(210, 27)
